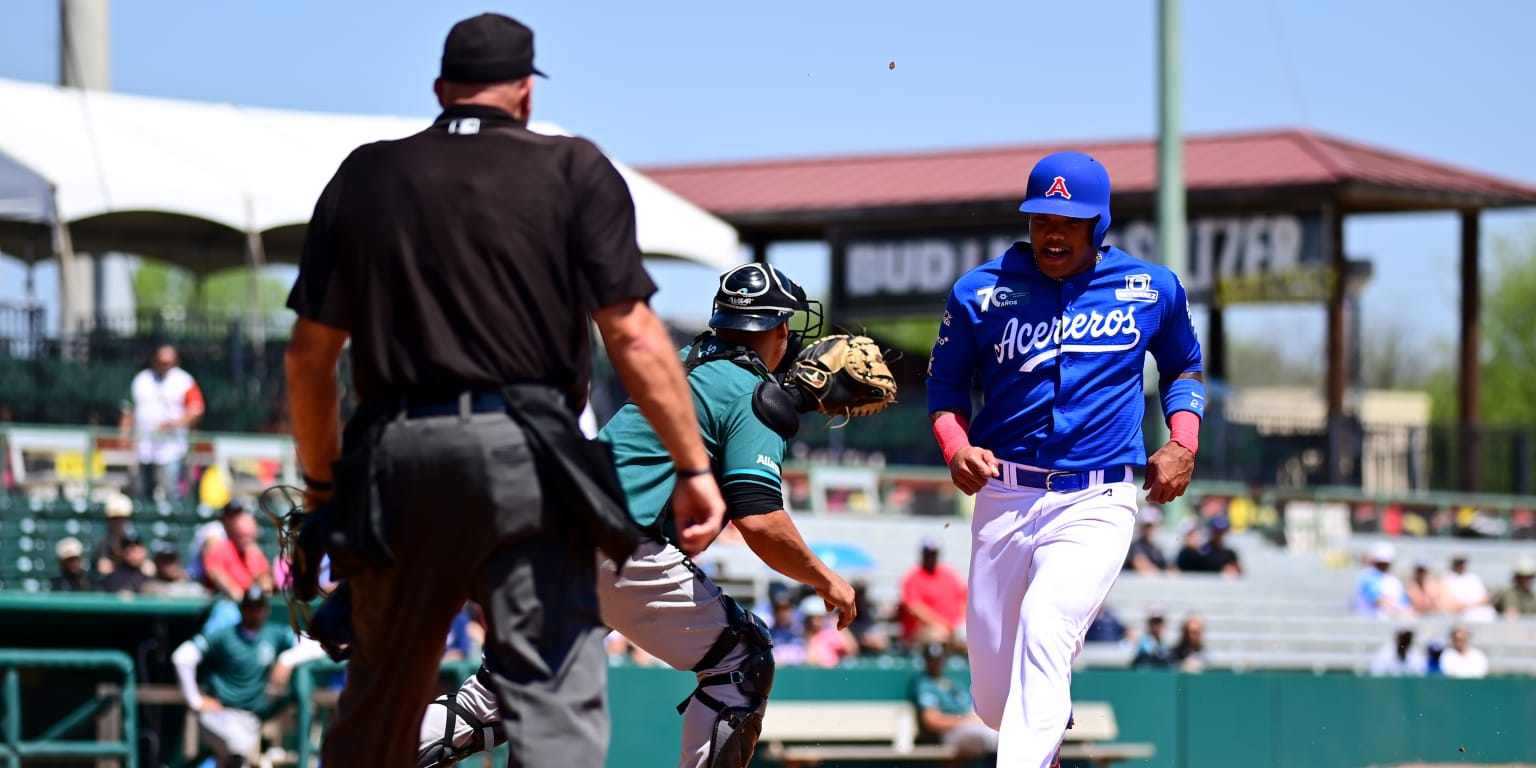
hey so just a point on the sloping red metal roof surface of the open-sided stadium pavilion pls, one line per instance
(1256, 161)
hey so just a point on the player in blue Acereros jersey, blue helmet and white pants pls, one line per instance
(1059, 329)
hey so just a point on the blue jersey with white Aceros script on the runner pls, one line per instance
(1062, 362)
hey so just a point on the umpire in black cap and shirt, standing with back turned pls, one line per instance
(463, 263)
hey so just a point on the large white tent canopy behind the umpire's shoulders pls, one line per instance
(190, 182)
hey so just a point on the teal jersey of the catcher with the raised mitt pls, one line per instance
(743, 449)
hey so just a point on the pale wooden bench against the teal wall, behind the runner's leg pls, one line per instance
(809, 733)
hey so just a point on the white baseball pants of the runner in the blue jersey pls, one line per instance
(1042, 564)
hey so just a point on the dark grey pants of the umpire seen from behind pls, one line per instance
(469, 523)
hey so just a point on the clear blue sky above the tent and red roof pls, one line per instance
(701, 82)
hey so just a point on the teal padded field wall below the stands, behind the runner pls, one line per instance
(1196, 721)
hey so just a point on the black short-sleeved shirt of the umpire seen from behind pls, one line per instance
(469, 256)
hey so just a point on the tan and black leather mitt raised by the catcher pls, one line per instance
(842, 376)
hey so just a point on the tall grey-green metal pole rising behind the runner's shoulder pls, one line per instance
(1171, 219)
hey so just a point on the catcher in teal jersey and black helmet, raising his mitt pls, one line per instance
(660, 600)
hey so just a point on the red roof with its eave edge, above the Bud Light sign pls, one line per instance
(1243, 170)
